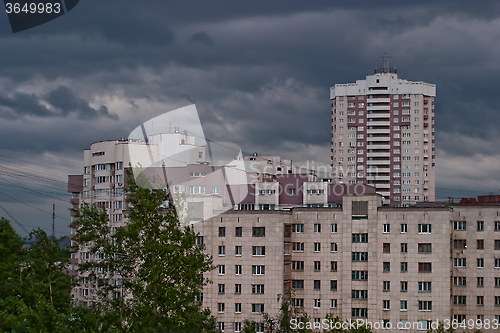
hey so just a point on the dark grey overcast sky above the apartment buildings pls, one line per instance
(258, 71)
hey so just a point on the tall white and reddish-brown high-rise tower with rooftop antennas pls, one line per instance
(383, 135)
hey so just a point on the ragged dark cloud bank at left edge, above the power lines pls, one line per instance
(62, 100)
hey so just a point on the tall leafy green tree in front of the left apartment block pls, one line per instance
(149, 271)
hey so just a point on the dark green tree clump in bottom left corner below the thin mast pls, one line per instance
(34, 289)
